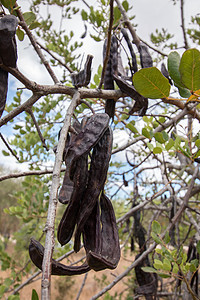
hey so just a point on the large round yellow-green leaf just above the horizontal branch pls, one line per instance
(150, 83)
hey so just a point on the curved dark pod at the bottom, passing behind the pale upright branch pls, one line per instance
(36, 252)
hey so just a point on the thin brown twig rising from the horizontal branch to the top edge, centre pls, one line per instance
(108, 45)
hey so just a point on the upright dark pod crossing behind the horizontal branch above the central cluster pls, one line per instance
(111, 68)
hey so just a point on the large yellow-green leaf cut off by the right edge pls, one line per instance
(190, 69)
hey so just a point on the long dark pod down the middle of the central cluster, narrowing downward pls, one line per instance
(97, 177)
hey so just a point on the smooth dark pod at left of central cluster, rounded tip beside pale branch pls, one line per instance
(68, 221)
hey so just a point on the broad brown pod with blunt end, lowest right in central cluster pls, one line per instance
(107, 253)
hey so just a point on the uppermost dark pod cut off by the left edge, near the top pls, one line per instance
(8, 49)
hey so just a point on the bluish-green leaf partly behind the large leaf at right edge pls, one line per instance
(173, 69)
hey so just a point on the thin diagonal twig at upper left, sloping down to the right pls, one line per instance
(35, 45)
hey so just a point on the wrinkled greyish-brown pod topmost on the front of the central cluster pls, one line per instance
(87, 138)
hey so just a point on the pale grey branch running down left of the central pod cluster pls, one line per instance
(49, 242)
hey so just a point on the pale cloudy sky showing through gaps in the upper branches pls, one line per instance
(150, 15)
